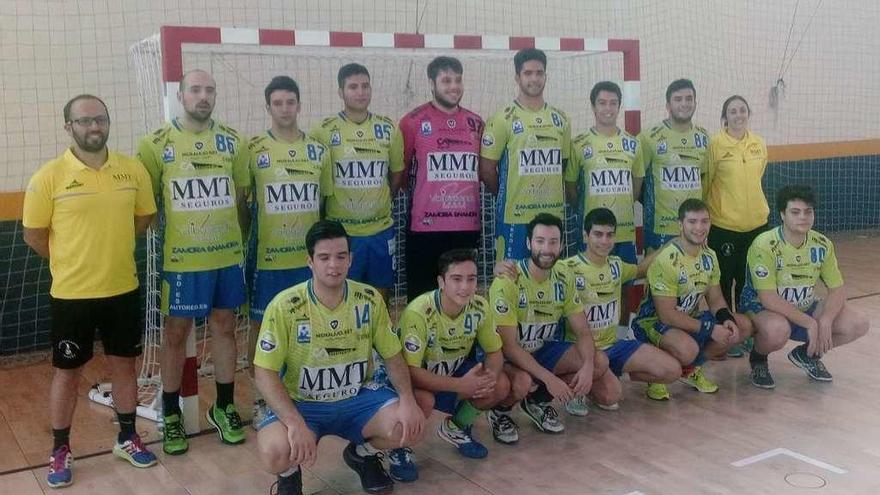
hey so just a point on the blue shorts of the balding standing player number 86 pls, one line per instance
(195, 294)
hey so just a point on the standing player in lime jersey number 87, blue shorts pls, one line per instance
(286, 168)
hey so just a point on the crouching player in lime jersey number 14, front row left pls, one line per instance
(313, 361)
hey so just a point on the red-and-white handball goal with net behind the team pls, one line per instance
(244, 60)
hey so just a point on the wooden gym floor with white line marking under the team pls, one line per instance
(815, 438)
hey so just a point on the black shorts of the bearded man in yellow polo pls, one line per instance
(74, 322)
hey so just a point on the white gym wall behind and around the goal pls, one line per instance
(53, 50)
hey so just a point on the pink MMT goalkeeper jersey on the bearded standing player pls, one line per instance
(441, 154)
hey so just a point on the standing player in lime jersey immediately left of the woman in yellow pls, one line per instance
(672, 153)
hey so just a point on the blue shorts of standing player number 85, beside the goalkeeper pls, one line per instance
(373, 259)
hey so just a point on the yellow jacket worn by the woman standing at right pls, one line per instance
(732, 184)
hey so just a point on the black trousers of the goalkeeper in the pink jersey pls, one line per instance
(422, 251)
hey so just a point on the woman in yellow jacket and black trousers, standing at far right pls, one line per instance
(732, 189)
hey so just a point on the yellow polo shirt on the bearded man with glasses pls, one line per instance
(90, 216)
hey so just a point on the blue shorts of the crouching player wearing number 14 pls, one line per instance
(344, 418)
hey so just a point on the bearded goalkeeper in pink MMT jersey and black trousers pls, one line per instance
(438, 143)
